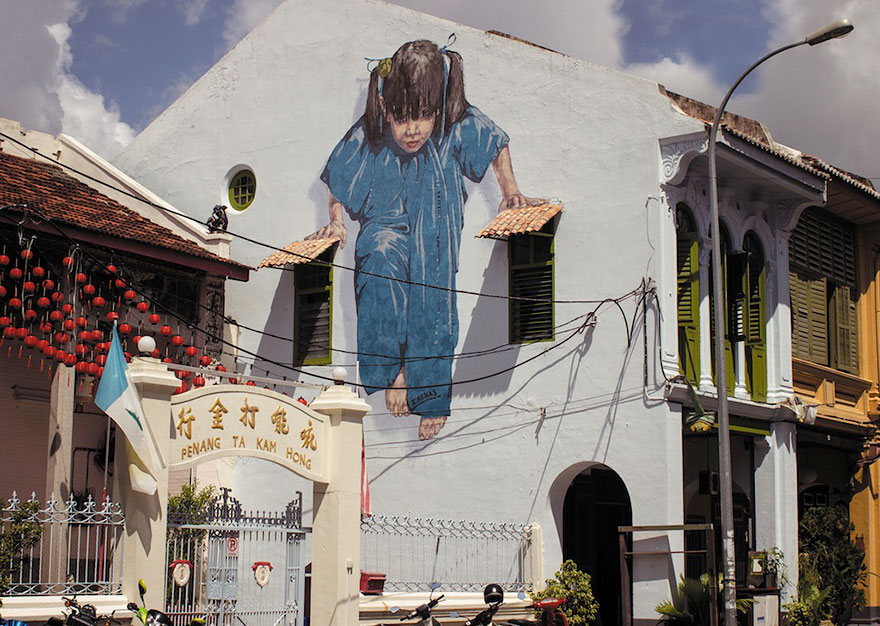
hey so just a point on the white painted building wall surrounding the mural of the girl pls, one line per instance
(280, 101)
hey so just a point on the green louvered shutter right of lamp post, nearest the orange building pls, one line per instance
(755, 327)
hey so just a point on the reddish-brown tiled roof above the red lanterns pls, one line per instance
(67, 201)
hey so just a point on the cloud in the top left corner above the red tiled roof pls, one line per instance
(39, 91)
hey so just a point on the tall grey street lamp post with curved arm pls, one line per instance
(835, 29)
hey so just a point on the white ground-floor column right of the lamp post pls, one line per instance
(776, 520)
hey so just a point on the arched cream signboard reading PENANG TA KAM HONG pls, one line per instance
(236, 420)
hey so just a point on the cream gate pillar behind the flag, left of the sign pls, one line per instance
(145, 516)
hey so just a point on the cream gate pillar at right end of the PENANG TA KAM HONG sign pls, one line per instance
(336, 528)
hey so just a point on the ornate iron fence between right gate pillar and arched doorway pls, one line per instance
(459, 555)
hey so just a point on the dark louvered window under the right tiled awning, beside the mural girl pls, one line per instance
(531, 278)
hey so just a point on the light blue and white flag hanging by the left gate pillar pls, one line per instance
(118, 397)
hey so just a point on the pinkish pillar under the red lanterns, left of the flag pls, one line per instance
(60, 434)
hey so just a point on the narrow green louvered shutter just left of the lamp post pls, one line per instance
(688, 267)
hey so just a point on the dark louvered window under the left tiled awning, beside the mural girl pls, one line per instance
(313, 285)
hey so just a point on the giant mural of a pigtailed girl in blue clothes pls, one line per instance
(399, 172)
